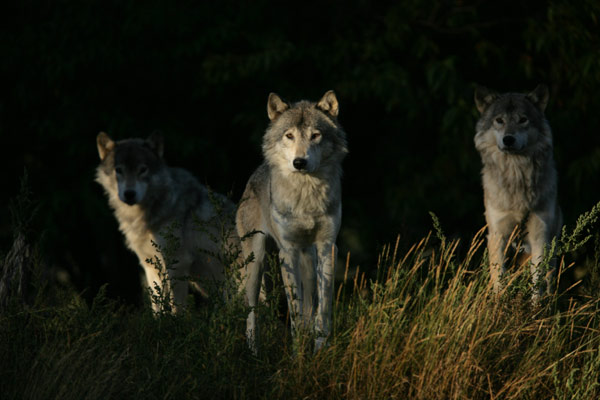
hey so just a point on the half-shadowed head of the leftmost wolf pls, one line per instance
(127, 166)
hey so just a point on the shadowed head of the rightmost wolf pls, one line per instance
(514, 120)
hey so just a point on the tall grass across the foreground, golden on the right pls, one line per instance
(427, 326)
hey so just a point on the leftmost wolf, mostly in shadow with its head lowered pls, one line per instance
(153, 202)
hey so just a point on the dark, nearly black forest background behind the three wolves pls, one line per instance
(200, 72)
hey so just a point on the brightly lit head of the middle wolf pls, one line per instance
(305, 136)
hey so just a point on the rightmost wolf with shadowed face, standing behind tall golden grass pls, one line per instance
(519, 178)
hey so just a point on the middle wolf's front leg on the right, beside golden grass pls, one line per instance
(326, 253)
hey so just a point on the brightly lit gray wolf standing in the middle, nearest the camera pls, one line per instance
(294, 198)
